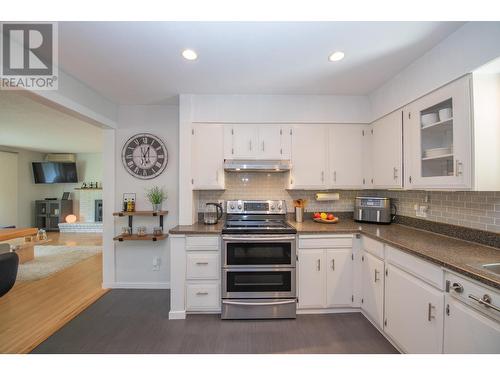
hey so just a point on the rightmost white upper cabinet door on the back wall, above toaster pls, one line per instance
(345, 149)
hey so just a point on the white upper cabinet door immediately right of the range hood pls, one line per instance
(309, 157)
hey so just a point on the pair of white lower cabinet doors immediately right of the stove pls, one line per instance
(325, 278)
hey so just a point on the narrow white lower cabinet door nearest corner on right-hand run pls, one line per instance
(372, 285)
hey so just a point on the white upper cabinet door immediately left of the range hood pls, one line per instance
(207, 159)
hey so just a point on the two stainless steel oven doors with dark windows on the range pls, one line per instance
(259, 266)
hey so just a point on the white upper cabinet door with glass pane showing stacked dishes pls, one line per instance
(438, 145)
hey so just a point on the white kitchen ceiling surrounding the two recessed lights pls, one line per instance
(141, 63)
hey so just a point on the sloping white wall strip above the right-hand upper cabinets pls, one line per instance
(471, 46)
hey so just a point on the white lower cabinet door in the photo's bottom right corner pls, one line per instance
(468, 331)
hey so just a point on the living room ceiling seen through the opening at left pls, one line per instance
(27, 124)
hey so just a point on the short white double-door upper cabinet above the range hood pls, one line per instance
(251, 141)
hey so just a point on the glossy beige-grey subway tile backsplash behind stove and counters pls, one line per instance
(479, 210)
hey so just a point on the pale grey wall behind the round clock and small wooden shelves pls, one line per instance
(130, 264)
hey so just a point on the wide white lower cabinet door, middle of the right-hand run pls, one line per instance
(413, 312)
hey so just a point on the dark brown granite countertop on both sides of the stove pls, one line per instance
(458, 255)
